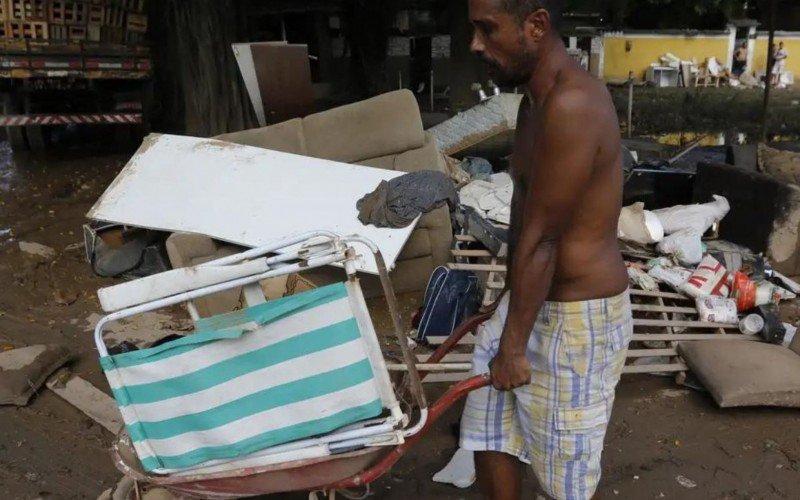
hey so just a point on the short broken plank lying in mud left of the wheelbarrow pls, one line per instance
(96, 404)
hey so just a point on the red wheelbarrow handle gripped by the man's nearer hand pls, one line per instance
(435, 411)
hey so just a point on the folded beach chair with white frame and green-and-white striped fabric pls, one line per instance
(298, 377)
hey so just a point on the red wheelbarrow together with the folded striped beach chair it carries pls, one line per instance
(327, 456)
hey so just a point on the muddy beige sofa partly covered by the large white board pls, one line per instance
(383, 132)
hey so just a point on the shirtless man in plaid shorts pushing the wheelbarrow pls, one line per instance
(556, 344)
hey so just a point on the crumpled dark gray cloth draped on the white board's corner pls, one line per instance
(398, 202)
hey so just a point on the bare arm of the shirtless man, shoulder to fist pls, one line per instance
(564, 157)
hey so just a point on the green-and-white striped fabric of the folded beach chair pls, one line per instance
(277, 372)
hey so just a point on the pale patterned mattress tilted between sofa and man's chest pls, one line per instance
(492, 117)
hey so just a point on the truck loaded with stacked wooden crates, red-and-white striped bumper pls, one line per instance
(67, 64)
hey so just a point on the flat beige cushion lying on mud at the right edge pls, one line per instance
(739, 373)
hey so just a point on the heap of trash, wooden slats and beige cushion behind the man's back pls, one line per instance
(693, 294)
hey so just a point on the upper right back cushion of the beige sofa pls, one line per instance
(383, 125)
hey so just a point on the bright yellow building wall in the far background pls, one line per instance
(616, 55)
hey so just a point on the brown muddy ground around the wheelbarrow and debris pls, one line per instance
(48, 449)
